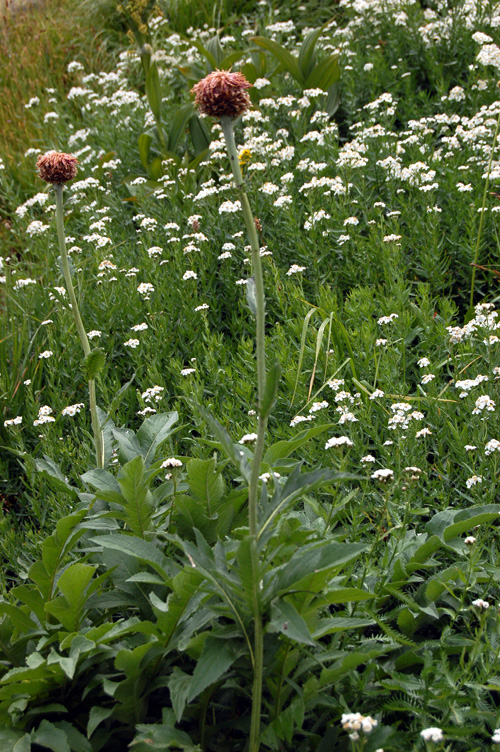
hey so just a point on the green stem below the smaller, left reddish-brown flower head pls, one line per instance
(98, 438)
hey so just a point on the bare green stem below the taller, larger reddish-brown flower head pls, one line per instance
(253, 491)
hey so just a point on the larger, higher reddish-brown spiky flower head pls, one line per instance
(222, 94)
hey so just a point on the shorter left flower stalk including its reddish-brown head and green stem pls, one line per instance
(57, 169)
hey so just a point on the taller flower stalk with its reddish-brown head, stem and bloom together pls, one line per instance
(224, 95)
